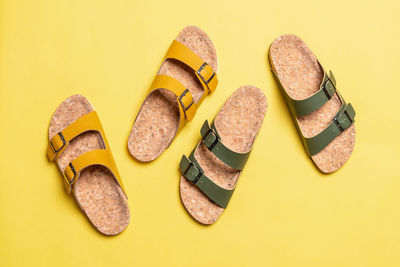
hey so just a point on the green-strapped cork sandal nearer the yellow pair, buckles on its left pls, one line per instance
(210, 173)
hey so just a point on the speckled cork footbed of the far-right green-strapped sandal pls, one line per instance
(301, 75)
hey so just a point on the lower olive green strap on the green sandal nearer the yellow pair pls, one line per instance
(192, 171)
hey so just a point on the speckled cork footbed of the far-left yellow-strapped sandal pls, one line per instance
(96, 191)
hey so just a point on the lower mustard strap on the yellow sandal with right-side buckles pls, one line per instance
(187, 106)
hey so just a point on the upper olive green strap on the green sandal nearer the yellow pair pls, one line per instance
(212, 141)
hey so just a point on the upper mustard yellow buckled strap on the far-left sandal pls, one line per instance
(88, 122)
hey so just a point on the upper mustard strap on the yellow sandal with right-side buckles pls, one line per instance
(203, 71)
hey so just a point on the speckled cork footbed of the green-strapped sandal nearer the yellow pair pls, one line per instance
(237, 123)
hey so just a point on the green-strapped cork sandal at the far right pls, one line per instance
(325, 122)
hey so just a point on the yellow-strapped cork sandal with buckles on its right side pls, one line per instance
(186, 77)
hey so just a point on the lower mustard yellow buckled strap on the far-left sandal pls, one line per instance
(102, 157)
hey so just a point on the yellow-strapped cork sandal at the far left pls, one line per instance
(79, 147)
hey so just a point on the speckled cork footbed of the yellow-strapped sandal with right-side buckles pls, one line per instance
(158, 120)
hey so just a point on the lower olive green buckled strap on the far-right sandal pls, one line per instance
(342, 120)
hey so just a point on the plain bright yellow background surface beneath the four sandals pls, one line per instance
(283, 213)
